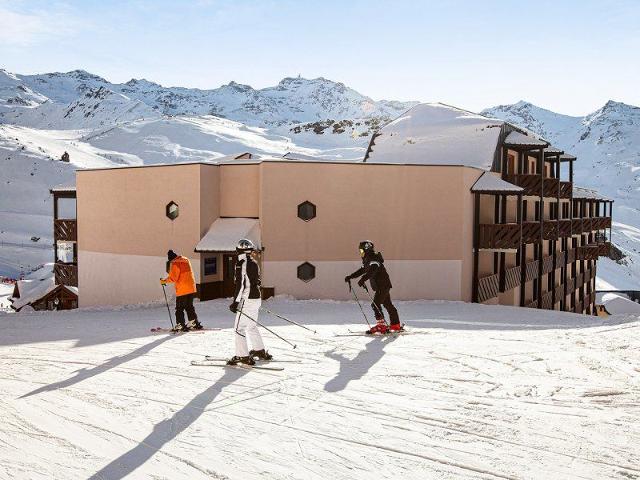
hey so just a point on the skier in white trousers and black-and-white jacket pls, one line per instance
(246, 306)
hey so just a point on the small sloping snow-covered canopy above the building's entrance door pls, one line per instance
(224, 233)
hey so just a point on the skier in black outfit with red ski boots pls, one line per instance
(373, 270)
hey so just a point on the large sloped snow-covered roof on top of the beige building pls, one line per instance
(437, 134)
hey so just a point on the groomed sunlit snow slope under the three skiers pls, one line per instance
(474, 392)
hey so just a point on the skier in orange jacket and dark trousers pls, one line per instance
(181, 275)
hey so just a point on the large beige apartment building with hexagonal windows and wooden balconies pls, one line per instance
(462, 206)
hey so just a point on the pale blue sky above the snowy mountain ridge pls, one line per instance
(569, 56)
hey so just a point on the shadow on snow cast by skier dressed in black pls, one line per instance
(356, 368)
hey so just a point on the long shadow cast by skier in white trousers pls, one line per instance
(166, 430)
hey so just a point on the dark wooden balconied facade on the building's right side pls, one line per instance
(566, 242)
